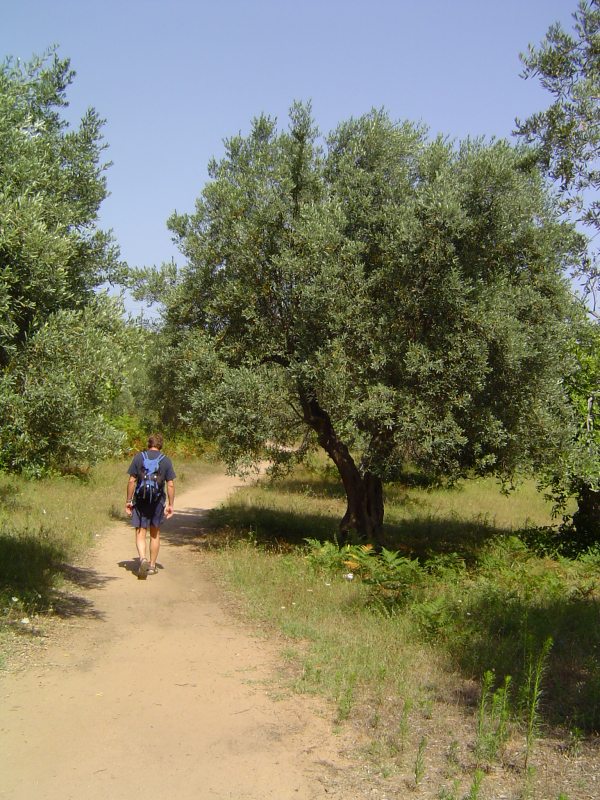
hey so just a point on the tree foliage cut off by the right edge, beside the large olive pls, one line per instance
(566, 145)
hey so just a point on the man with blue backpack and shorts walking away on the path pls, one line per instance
(149, 473)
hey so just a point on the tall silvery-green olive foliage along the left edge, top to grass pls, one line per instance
(53, 327)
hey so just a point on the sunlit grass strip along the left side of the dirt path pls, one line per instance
(45, 524)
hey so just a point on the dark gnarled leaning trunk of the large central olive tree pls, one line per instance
(364, 492)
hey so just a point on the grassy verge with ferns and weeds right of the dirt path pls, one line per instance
(467, 659)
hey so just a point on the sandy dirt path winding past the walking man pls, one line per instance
(154, 691)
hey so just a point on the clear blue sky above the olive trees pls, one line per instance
(174, 77)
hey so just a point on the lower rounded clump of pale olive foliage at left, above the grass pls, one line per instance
(54, 390)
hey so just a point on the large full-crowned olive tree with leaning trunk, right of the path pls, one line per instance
(392, 300)
